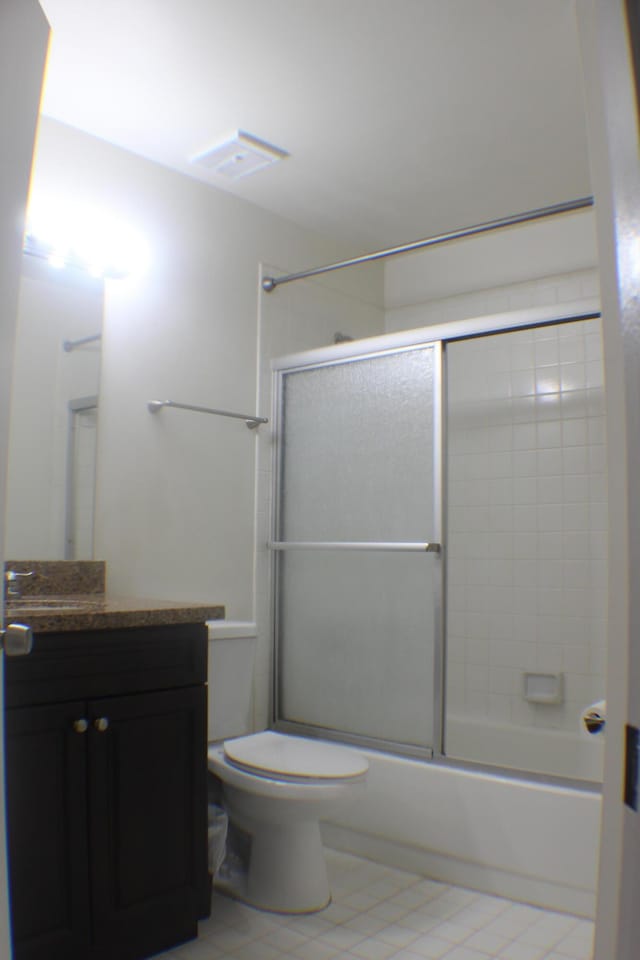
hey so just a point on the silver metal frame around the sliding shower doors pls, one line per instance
(438, 336)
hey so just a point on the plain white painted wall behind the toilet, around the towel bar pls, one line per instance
(175, 491)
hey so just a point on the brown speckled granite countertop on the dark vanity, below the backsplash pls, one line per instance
(97, 611)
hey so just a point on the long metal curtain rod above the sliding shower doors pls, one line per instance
(270, 283)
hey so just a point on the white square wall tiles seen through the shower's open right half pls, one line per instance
(544, 598)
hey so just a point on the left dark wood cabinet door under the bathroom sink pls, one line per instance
(46, 808)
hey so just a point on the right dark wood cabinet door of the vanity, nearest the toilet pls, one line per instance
(147, 796)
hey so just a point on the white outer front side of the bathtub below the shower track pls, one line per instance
(531, 841)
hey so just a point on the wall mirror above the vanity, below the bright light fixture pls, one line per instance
(51, 477)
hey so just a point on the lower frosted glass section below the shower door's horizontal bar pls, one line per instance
(357, 643)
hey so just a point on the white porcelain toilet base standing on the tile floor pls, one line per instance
(286, 871)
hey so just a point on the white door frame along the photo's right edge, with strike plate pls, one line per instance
(612, 128)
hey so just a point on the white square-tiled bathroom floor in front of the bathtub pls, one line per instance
(379, 913)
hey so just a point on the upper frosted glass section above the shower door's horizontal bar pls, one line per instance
(357, 454)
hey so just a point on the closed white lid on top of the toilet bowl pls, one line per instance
(279, 754)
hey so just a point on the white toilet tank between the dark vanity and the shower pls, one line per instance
(230, 677)
